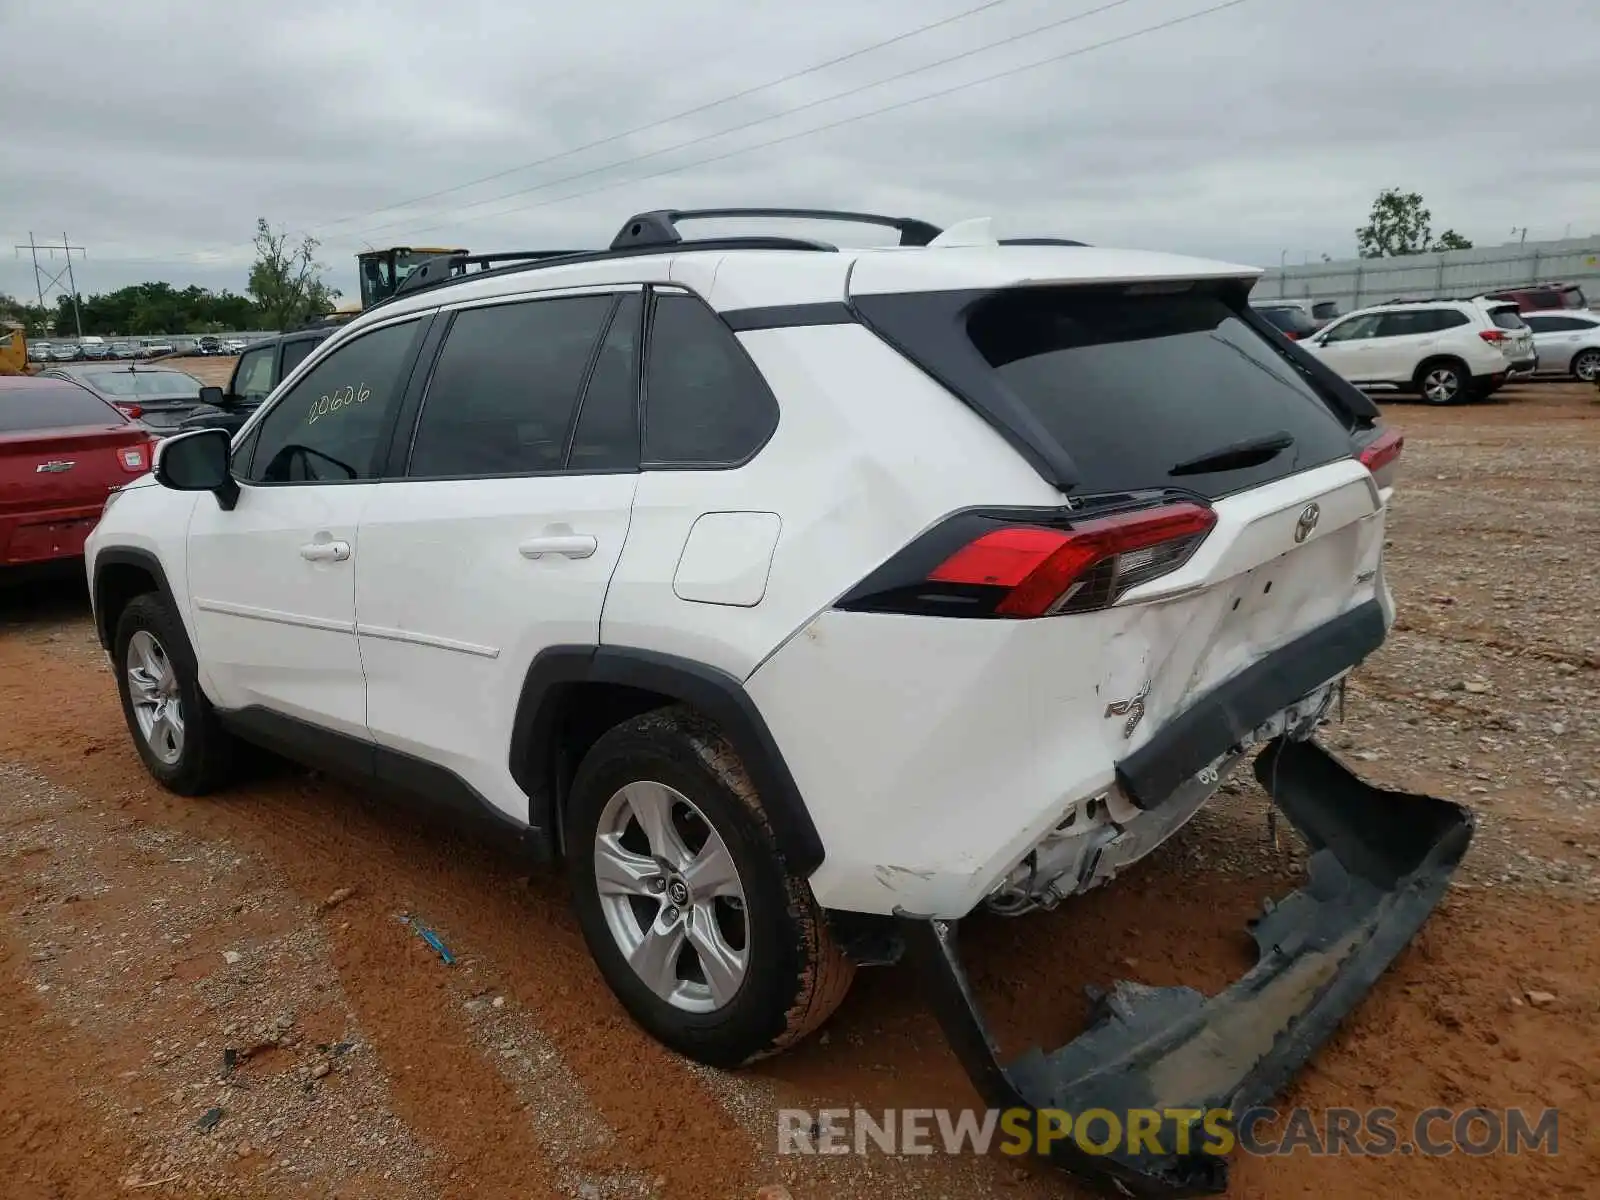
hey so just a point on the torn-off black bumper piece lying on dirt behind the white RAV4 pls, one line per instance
(1380, 865)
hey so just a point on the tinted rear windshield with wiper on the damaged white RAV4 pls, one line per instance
(1140, 390)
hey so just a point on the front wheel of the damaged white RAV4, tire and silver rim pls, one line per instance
(174, 726)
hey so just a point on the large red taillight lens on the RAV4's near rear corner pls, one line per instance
(1081, 569)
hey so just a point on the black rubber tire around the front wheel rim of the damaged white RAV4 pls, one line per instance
(206, 754)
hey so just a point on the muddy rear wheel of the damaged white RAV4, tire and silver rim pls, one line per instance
(721, 966)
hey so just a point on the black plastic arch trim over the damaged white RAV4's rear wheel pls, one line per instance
(535, 742)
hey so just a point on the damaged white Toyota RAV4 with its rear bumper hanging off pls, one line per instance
(806, 601)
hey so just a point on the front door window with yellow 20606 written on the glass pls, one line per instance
(334, 426)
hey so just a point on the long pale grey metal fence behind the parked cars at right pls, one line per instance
(1454, 273)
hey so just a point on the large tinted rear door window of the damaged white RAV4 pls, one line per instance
(505, 388)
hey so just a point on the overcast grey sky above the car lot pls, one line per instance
(158, 132)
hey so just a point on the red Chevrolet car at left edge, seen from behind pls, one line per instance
(63, 450)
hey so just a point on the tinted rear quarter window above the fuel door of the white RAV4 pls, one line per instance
(705, 401)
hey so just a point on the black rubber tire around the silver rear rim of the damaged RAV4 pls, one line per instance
(796, 975)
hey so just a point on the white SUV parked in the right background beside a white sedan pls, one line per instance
(1446, 351)
